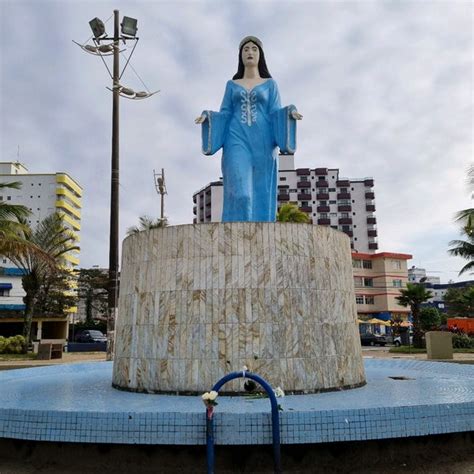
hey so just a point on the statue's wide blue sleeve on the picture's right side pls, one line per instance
(284, 125)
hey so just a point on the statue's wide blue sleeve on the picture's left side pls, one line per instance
(214, 129)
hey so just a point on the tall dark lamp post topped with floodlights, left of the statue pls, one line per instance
(112, 47)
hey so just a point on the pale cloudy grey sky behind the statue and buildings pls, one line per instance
(385, 88)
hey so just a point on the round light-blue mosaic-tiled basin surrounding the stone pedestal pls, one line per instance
(76, 403)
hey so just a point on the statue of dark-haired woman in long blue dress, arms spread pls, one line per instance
(249, 126)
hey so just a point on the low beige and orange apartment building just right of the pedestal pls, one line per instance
(378, 279)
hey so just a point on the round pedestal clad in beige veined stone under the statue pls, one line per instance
(200, 301)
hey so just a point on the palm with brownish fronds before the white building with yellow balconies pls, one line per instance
(55, 241)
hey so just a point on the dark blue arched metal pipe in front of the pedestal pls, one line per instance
(275, 419)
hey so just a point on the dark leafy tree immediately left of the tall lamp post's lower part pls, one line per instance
(92, 290)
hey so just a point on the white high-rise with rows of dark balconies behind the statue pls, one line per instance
(344, 204)
